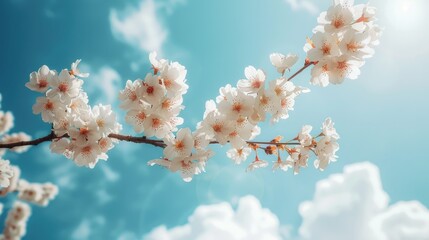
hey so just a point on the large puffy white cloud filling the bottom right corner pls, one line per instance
(353, 205)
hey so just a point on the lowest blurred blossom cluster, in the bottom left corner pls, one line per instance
(16, 221)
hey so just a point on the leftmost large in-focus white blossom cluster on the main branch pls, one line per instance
(82, 130)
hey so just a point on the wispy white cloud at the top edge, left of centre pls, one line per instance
(140, 27)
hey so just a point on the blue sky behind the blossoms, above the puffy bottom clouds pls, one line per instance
(382, 117)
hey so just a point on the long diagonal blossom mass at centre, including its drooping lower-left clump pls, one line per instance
(233, 118)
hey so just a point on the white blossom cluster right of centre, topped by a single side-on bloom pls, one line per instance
(234, 117)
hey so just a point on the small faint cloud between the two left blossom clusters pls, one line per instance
(103, 85)
